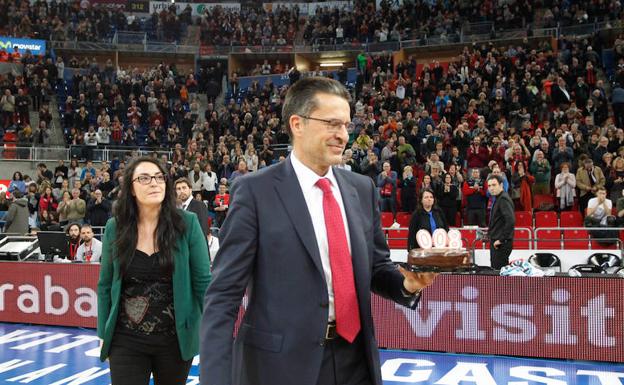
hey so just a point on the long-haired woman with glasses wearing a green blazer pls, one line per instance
(154, 271)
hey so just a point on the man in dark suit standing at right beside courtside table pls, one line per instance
(502, 223)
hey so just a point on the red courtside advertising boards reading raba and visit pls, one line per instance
(553, 317)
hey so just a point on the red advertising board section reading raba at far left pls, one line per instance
(49, 294)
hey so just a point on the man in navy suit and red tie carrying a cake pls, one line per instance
(304, 239)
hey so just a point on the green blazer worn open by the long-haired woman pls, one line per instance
(191, 276)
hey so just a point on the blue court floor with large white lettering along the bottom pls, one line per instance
(46, 355)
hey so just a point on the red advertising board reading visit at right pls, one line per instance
(557, 317)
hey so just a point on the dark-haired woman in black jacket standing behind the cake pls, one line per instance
(426, 216)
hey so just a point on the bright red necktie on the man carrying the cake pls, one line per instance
(345, 298)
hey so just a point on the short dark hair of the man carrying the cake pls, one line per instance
(301, 97)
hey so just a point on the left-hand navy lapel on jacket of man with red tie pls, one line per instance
(289, 191)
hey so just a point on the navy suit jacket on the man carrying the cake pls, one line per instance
(268, 248)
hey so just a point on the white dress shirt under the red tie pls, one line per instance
(314, 200)
